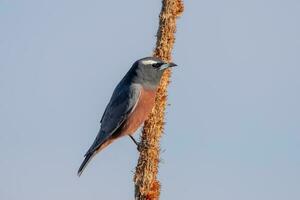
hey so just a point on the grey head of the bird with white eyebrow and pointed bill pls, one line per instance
(148, 71)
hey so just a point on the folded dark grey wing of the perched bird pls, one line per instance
(121, 104)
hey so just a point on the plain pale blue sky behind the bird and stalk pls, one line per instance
(232, 127)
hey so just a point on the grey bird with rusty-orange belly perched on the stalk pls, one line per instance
(130, 104)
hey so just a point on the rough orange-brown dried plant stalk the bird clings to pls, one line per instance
(147, 186)
